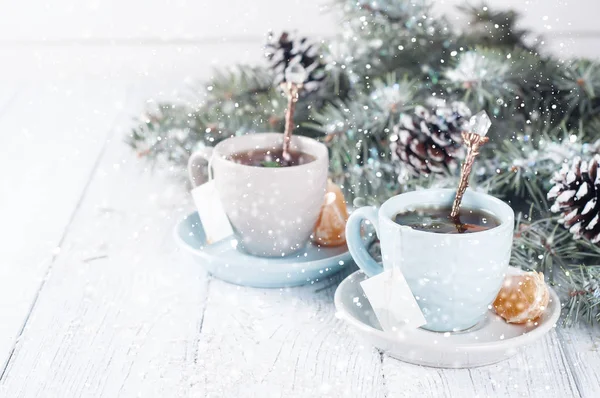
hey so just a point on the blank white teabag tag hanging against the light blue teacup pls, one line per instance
(393, 302)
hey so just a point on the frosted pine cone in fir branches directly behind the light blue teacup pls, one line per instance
(431, 143)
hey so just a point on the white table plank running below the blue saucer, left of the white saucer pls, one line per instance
(281, 343)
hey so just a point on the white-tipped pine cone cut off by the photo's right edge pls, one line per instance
(575, 194)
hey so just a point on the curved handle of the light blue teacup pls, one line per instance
(355, 244)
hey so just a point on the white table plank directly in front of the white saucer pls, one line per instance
(541, 370)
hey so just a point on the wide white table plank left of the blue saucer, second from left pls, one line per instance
(121, 311)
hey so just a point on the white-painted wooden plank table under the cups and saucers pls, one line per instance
(96, 300)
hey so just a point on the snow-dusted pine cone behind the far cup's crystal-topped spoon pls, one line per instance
(287, 51)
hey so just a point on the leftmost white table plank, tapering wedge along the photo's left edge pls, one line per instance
(53, 137)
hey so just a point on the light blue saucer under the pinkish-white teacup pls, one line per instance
(225, 262)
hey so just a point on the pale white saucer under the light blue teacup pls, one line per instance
(489, 342)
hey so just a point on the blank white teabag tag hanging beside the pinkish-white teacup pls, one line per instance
(214, 220)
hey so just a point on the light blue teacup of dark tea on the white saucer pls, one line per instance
(454, 277)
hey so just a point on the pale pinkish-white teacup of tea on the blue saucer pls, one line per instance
(272, 210)
